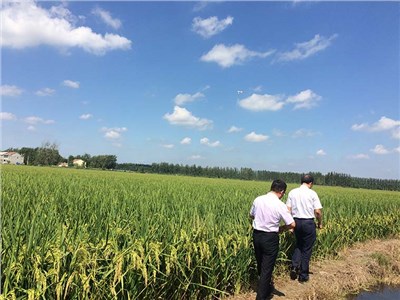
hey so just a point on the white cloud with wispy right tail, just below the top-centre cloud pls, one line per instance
(227, 56)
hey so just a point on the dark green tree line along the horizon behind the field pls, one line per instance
(48, 155)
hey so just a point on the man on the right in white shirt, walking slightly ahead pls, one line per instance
(304, 205)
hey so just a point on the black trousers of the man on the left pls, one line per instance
(266, 247)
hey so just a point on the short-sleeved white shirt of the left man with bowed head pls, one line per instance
(267, 211)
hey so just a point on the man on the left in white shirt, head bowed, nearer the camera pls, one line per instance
(267, 211)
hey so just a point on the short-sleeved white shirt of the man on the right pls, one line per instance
(303, 201)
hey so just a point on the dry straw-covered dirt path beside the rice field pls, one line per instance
(359, 267)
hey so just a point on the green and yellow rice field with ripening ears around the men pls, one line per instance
(87, 234)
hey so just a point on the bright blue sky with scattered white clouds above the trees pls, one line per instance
(281, 86)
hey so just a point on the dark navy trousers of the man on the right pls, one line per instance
(306, 235)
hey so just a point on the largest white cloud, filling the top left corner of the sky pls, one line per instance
(26, 24)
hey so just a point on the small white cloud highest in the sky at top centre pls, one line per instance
(210, 26)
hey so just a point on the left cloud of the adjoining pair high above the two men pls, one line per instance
(258, 102)
